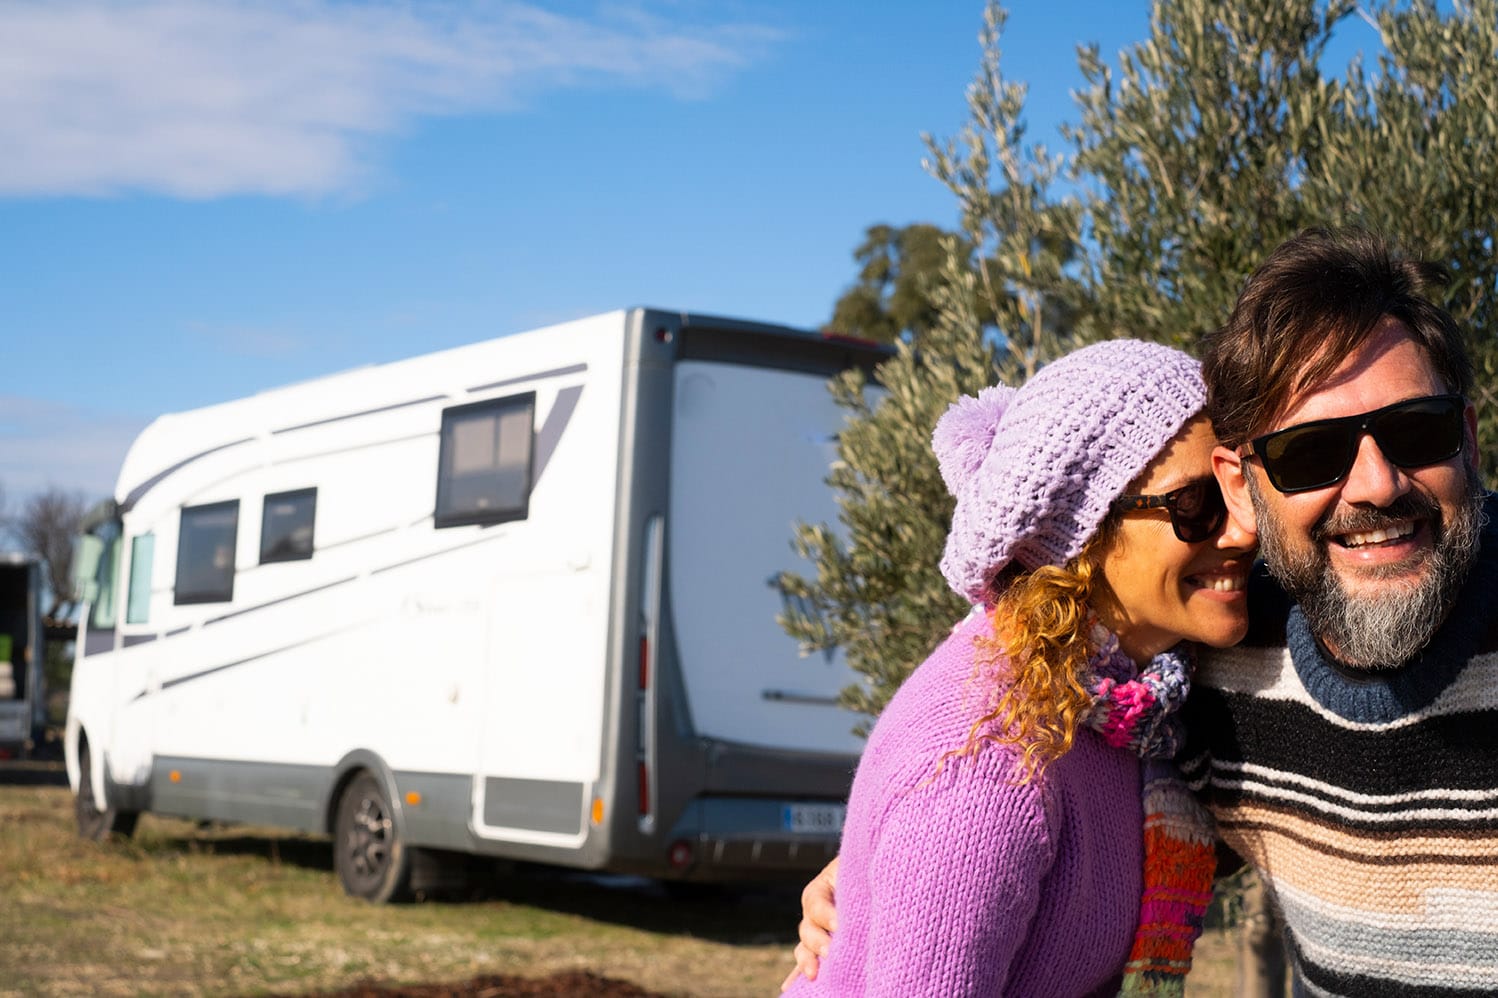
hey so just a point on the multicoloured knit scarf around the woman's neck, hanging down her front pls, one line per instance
(1135, 708)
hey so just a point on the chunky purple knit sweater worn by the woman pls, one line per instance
(970, 885)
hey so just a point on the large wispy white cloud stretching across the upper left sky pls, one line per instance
(201, 100)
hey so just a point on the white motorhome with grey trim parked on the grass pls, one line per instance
(507, 600)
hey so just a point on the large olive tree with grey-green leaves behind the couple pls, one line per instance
(1216, 139)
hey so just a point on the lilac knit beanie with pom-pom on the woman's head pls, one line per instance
(1036, 468)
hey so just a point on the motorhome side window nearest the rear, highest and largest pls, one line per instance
(485, 465)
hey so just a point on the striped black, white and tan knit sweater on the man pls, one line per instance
(1370, 804)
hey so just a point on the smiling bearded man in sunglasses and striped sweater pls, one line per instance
(1349, 748)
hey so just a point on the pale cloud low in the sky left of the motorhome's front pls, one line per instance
(46, 444)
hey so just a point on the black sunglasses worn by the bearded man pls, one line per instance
(1320, 453)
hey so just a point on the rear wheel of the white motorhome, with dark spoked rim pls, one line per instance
(372, 861)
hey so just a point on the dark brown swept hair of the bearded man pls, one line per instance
(1306, 311)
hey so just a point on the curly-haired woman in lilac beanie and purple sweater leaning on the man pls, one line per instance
(997, 831)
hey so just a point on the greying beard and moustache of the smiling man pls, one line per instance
(1386, 624)
